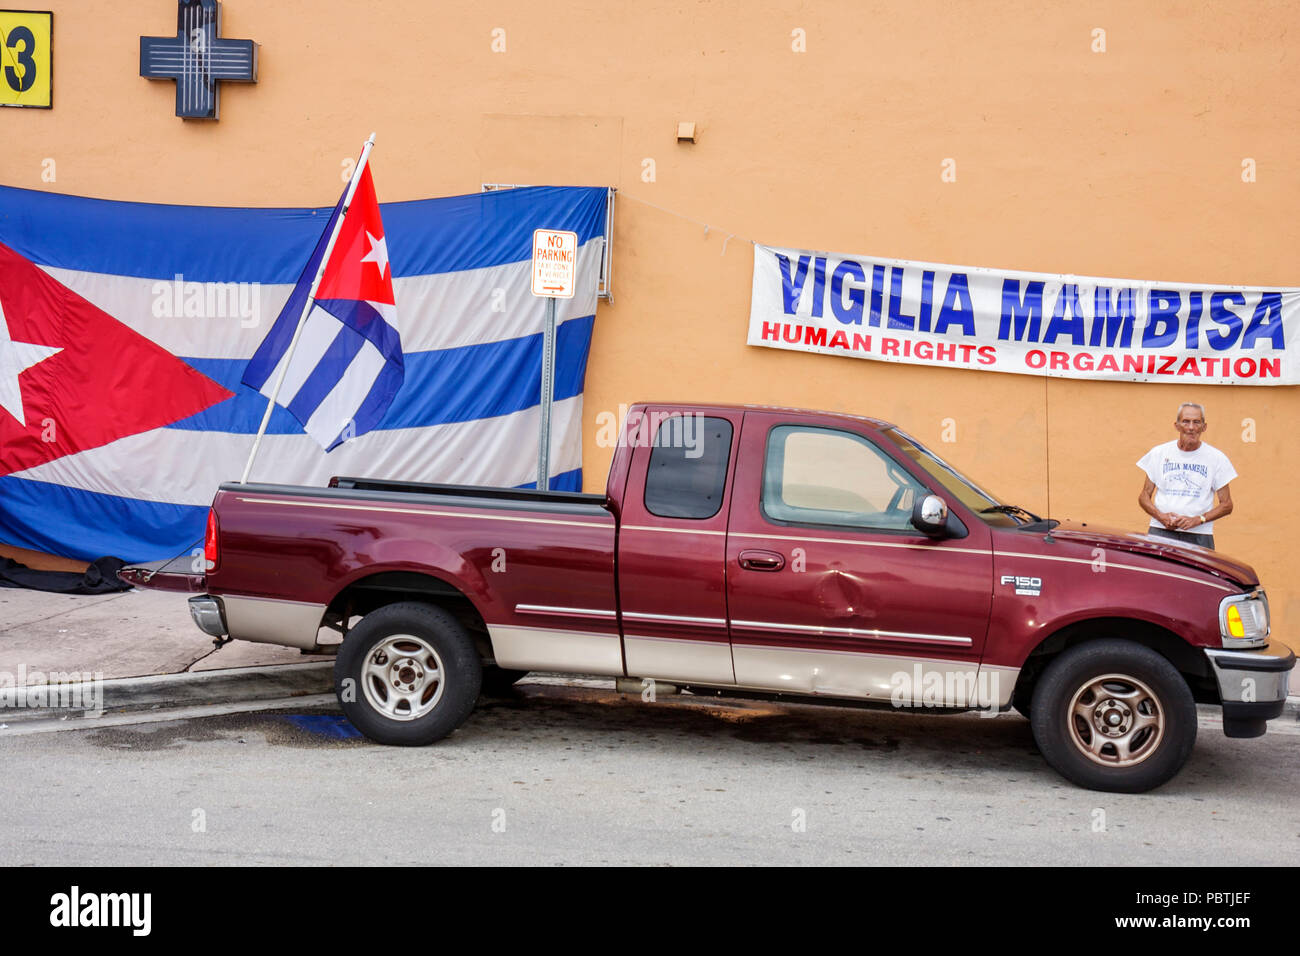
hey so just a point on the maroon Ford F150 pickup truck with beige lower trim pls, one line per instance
(757, 552)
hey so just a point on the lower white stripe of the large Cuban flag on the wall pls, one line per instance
(187, 466)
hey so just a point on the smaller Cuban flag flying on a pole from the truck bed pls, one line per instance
(340, 375)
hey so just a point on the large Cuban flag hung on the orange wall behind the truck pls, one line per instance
(127, 330)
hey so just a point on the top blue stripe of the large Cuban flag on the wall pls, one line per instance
(207, 244)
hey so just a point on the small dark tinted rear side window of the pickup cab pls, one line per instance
(688, 468)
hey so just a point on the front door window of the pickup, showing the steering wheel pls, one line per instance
(825, 477)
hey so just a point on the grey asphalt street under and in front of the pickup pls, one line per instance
(580, 775)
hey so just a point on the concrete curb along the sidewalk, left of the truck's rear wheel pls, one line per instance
(124, 695)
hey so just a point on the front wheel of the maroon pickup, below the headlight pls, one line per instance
(1102, 684)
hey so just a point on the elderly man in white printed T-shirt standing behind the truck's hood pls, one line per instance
(1189, 481)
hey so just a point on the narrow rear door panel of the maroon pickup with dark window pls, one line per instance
(673, 544)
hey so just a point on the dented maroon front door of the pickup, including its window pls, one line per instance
(830, 589)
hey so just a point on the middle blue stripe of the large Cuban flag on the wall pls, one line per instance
(475, 382)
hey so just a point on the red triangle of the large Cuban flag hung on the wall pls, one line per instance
(105, 383)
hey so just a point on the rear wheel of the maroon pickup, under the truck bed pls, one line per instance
(408, 674)
